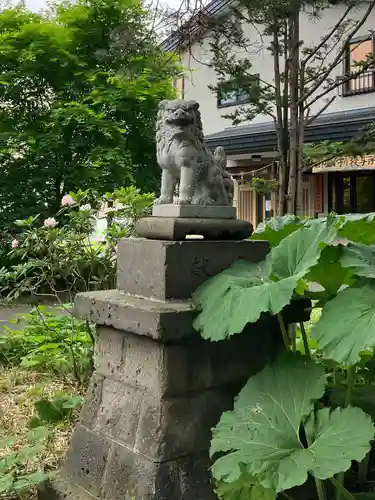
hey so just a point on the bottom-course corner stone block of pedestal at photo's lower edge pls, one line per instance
(129, 476)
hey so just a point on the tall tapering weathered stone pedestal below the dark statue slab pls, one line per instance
(158, 388)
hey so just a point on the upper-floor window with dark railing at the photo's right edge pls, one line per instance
(358, 51)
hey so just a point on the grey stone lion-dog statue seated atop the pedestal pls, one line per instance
(186, 161)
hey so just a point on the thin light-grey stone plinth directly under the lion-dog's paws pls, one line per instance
(194, 211)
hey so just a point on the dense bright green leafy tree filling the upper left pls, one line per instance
(81, 87)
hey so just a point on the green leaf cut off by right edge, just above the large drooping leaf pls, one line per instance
(360, 259)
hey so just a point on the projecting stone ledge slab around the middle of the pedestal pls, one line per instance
(159, 320)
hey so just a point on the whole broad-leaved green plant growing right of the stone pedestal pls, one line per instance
(279, 433)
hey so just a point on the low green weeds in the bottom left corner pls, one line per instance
(13, 459)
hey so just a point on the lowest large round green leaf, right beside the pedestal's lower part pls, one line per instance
(262, 432)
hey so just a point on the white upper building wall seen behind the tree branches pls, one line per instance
(199, 76)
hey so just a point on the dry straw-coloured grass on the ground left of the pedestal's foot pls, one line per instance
(19, 389)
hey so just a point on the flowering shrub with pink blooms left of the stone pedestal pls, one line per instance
(60, 256)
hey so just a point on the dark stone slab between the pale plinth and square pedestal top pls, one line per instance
(178, 228)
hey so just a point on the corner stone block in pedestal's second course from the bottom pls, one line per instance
(172, 427)
